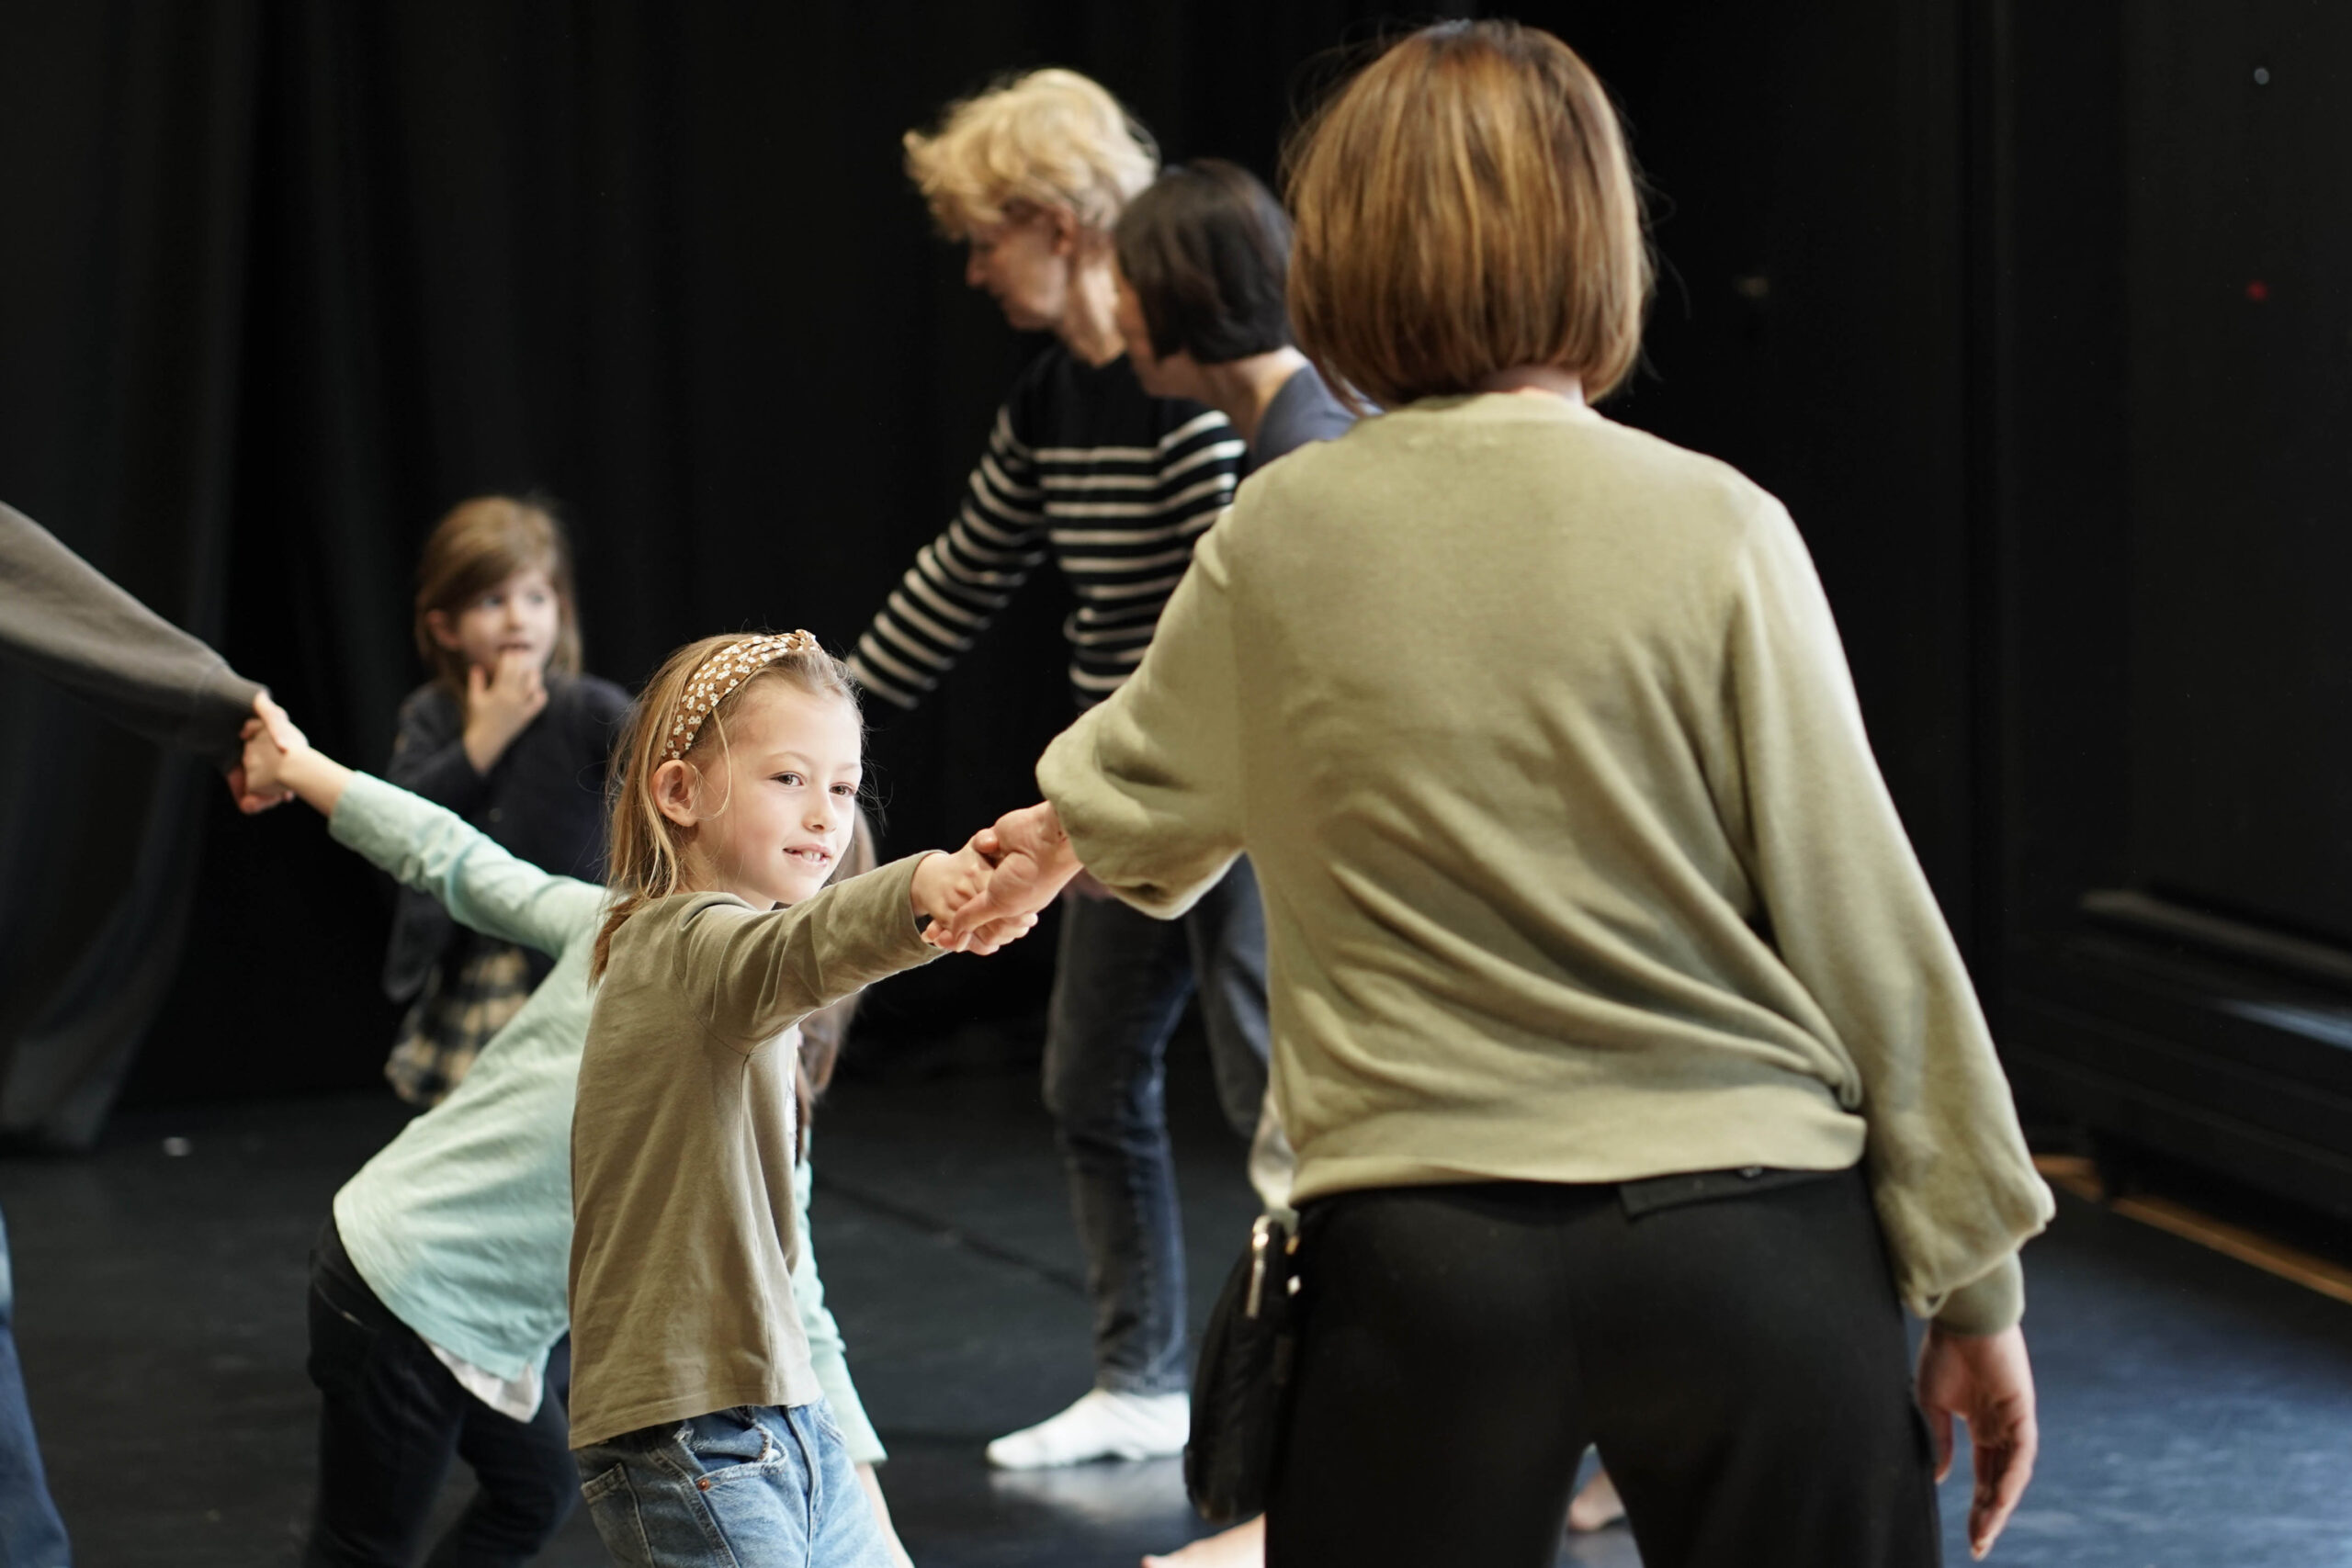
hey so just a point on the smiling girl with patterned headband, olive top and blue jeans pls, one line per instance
(697, 1421)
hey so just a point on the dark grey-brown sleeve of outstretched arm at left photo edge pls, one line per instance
(72, 624)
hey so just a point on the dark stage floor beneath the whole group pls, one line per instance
(2198, 1414)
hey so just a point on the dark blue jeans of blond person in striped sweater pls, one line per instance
(1121, 986)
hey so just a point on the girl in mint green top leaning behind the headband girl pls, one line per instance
(439, 1282)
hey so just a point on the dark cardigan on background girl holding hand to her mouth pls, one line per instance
(544, 800)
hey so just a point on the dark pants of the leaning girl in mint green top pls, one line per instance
(394, 1416)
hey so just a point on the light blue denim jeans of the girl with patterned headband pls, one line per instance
(735, 1489)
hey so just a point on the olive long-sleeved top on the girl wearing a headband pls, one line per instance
(683, 1146)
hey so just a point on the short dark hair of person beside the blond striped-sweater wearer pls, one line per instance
(1205, 250)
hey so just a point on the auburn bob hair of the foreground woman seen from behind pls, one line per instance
(1466, 206)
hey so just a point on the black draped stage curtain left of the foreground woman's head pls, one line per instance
(288, 281)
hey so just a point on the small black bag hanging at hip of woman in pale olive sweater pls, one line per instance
(1241, 1391)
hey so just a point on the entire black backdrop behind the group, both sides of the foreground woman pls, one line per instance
(286, 281)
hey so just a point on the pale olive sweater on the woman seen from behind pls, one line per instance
(1575, 855)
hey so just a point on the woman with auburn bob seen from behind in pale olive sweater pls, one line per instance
(1633, 1073)
